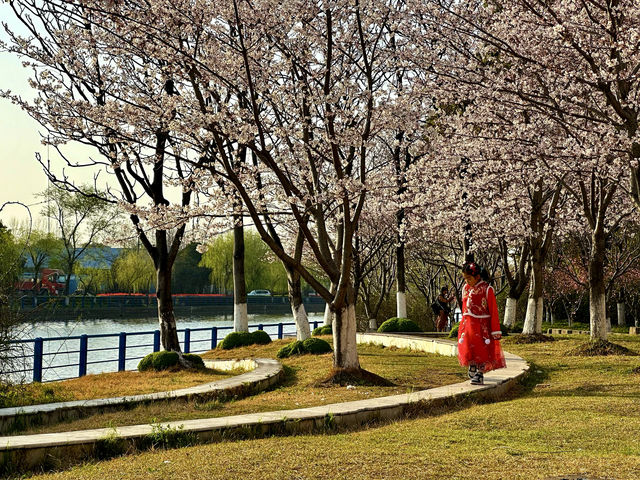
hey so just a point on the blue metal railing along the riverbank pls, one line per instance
(37, 364)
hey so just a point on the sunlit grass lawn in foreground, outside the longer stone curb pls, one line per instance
(572, 416)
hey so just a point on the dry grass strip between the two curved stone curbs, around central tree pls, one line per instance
(408, 370)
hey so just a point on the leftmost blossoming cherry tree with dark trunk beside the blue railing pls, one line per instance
(93, 91)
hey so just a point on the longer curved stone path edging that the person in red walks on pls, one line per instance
(30, 451)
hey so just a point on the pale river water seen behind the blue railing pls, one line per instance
(61, 355)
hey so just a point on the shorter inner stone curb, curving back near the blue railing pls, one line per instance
(262, 374)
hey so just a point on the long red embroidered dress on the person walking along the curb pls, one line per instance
(480, 321)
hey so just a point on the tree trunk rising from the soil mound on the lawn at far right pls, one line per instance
(597, 298)
